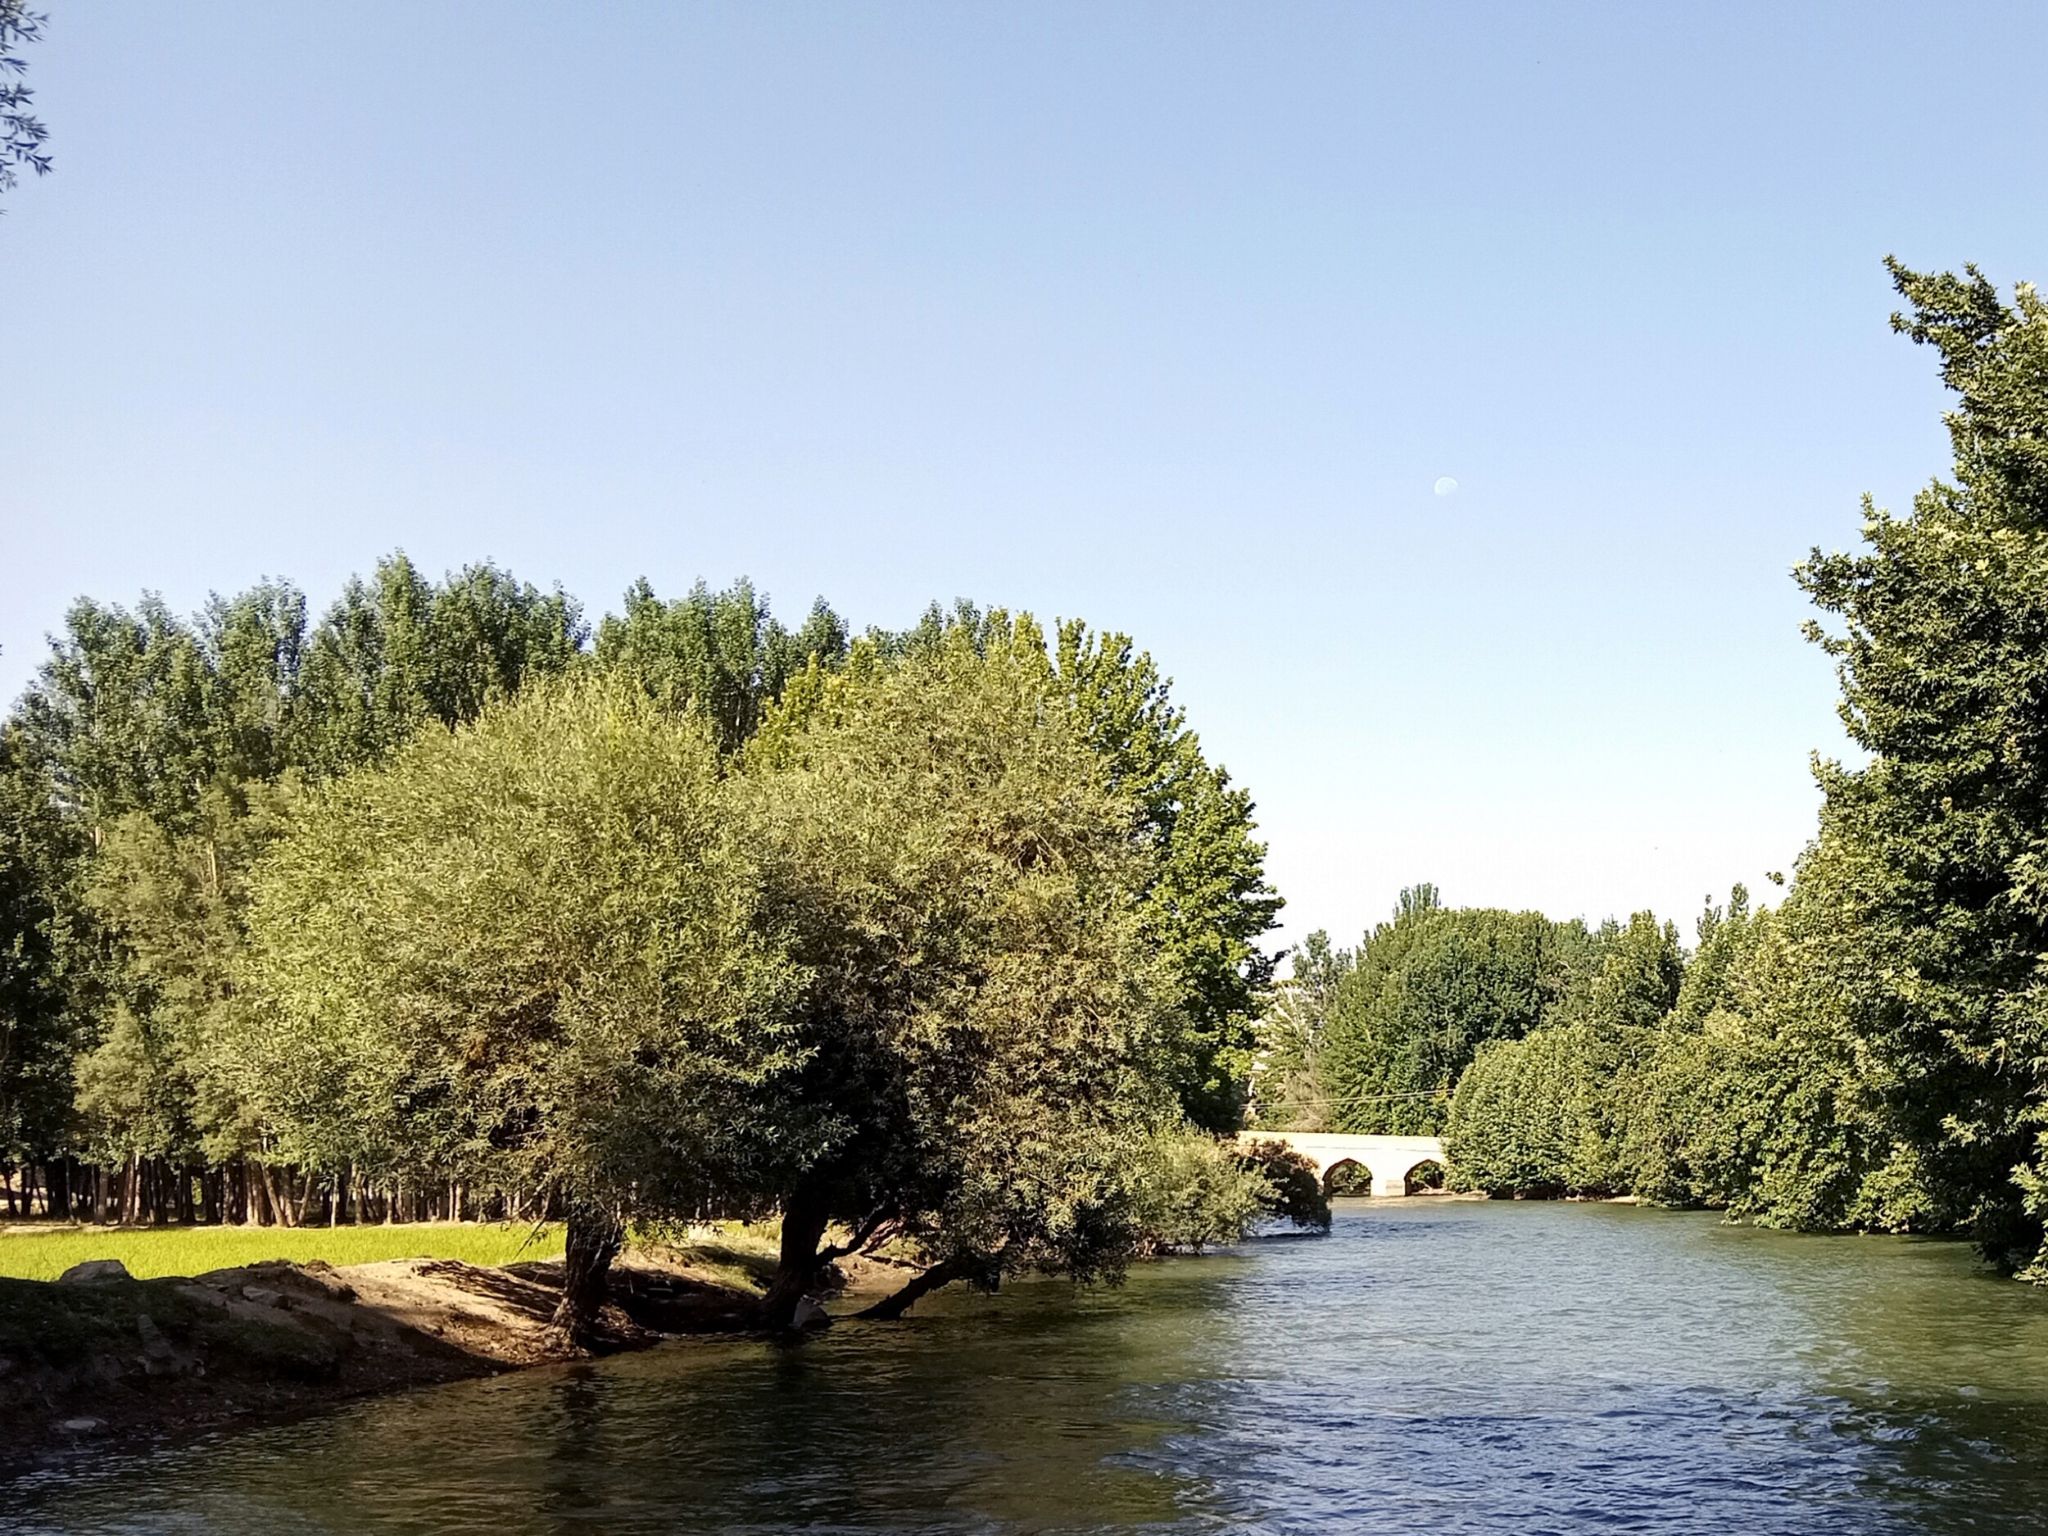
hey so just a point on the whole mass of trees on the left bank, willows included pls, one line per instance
(445, 906)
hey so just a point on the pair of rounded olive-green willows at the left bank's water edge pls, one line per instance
(892, 968)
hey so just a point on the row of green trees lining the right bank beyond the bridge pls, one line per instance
(1873, 1054)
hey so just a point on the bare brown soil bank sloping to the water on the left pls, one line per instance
(118, 1361)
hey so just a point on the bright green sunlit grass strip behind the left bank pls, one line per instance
(196, 1250)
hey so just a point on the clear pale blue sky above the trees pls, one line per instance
(1162, 316)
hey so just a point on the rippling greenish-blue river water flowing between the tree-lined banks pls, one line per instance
(1431, 1367)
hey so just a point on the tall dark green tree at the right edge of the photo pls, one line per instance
(1930, 873)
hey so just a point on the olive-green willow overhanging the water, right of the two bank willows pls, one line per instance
(984, 1025)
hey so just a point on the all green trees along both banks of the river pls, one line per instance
(947, 941)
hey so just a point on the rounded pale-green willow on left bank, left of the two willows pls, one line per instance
(525, 953)
